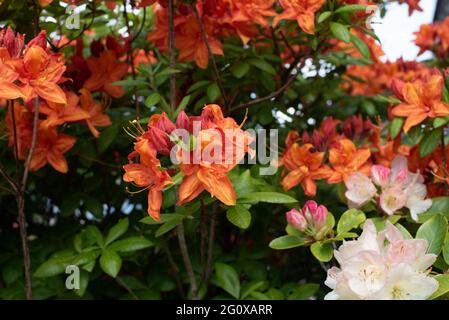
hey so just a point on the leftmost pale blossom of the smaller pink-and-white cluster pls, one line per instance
(360, 190)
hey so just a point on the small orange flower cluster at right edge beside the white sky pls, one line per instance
(434, 37)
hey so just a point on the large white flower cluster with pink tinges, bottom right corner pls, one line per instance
(381, 265)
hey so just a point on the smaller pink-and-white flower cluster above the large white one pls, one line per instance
(394, 189)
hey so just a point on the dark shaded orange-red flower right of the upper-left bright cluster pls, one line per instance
(106, 70)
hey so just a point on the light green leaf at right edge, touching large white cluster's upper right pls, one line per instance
(434, 231)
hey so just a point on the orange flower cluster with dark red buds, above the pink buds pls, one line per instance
(327, 154)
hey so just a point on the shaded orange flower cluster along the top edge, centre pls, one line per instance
(225, 18)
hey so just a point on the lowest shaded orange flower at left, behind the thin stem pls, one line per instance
(50, 148)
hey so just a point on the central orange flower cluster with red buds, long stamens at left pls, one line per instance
(211, 146)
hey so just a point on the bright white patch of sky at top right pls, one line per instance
(395, 30)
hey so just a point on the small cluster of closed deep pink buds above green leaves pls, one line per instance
(311, 219)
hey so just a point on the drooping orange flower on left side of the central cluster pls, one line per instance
(149, 174)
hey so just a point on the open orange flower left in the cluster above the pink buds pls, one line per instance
(305, 167)
